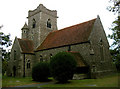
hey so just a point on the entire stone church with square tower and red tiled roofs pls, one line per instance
(41, 40)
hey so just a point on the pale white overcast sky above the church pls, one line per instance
(13, 13)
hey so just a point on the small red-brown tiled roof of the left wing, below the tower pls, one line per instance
(26, 45)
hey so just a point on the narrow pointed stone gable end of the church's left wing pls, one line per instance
(15, 59)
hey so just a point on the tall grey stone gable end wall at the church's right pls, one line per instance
(102, 60)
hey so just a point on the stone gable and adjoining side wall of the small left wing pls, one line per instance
(18, 61)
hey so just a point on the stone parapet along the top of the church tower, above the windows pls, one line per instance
(42, 8)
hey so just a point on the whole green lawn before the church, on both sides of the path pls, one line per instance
(108, 81)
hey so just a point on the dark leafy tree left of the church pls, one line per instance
(4, 43)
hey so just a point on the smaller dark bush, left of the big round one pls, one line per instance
(40, 71)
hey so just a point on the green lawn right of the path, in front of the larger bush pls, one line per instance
(108, 81)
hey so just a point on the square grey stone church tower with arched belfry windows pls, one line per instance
(41, 22)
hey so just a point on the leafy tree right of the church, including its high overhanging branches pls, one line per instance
(115, 51)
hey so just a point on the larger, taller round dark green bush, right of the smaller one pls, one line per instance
(62, 66)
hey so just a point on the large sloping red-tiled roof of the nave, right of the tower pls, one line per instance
(70, 35)
